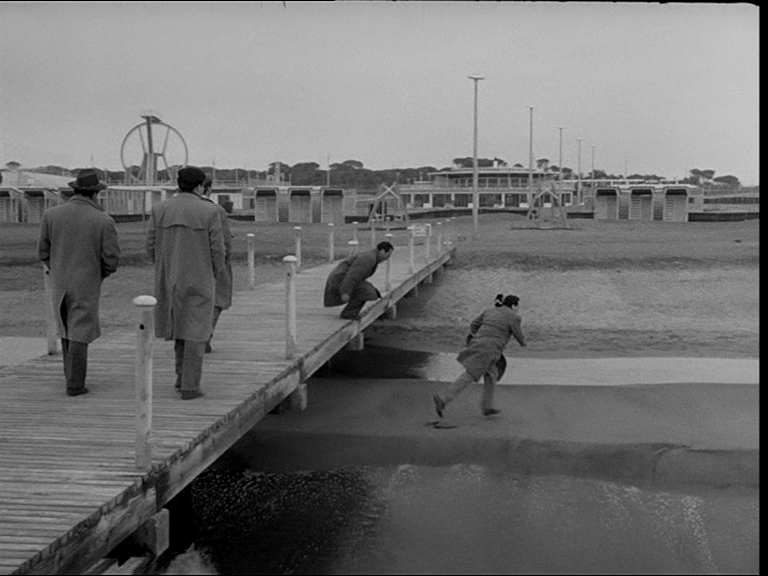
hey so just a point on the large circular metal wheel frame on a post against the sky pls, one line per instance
(152, 152)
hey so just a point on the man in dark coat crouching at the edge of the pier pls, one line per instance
(347, 282)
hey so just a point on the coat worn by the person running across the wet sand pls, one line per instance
(491, 332)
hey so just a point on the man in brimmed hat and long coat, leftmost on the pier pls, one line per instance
(78, 245)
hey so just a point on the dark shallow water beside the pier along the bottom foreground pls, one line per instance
(460, 520)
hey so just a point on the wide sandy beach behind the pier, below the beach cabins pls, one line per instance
(599, 288)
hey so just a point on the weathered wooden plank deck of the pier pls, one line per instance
(69, 487)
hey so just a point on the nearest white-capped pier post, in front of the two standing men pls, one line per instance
(145, 333)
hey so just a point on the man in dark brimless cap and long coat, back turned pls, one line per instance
(185, 241)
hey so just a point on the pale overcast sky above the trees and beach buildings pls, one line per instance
(655, 88)
